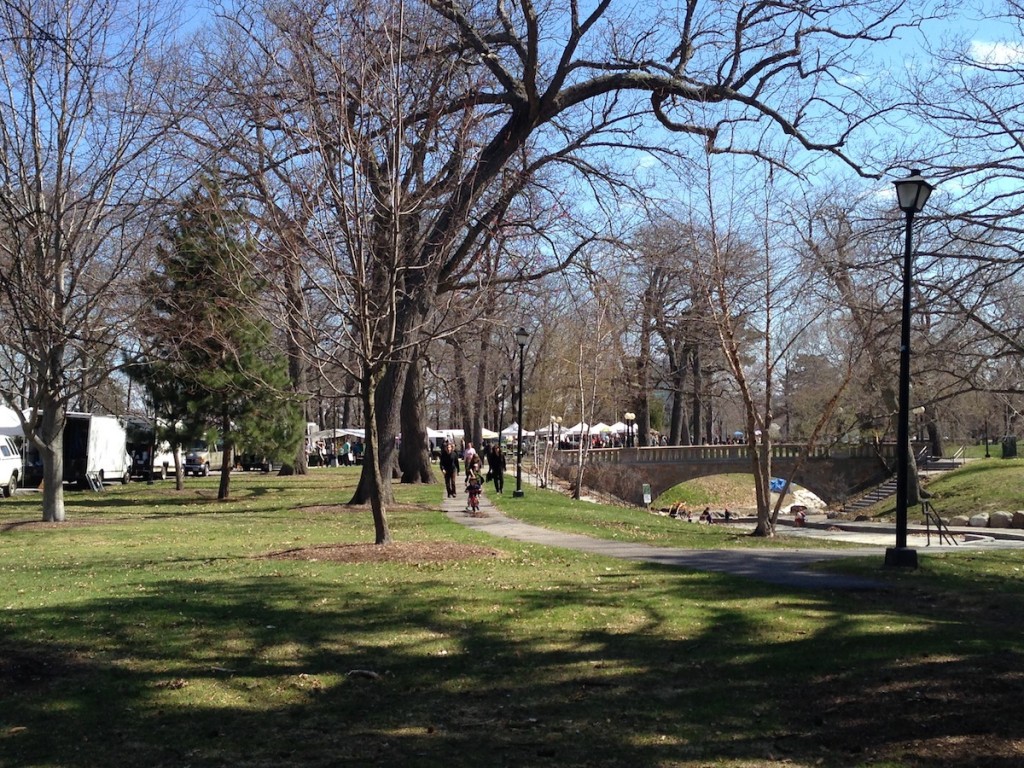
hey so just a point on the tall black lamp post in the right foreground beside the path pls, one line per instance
(913, 194)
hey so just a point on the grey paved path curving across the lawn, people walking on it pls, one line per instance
(787, 568)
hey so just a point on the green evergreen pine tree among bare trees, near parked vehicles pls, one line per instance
(215, 364)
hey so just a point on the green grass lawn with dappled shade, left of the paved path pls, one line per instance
(161, 628)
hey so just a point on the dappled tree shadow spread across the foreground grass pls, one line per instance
(317, 665)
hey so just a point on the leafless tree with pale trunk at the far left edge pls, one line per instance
(81, 135)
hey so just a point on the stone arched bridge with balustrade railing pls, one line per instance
(834, 474)
